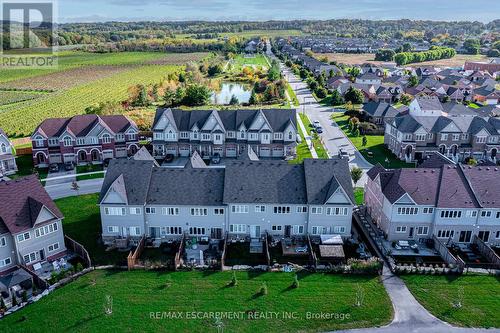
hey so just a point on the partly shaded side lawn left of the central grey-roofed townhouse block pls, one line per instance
(82, 222)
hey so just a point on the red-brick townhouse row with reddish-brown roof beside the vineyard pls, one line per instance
(84, 139)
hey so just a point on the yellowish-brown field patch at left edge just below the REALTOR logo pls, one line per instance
(65, 79)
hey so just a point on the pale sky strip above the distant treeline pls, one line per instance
(262, 10)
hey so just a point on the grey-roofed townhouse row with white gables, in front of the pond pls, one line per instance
(270, 133)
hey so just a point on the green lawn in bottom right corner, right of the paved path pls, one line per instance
(480, 298)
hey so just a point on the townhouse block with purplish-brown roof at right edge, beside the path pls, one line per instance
(453, 203)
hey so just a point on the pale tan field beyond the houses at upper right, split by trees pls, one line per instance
(358, 59)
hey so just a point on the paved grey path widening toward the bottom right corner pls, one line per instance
(409, 315)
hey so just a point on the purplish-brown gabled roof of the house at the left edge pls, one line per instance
(22, 201)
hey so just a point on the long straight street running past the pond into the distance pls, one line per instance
(333, 137)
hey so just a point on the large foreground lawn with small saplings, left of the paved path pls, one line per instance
(79, 306)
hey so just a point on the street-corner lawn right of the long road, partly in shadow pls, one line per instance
(375, 144)
